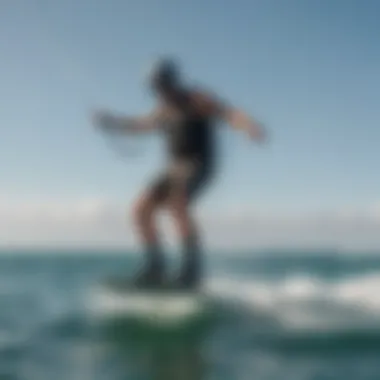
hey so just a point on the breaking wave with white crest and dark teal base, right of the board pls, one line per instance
(302, 311)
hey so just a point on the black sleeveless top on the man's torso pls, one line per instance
(190, 135)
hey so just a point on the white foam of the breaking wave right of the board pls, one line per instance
(302, 302)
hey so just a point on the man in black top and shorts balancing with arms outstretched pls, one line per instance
(187, 116)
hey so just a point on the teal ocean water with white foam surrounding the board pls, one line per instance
(303, 316)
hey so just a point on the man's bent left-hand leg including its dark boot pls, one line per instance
(145, 211)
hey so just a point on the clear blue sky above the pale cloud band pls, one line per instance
(308, 69)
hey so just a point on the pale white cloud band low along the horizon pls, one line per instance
(95, 221)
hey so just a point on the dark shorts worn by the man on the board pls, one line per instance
(189, 177)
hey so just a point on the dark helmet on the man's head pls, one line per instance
(164, 73)
